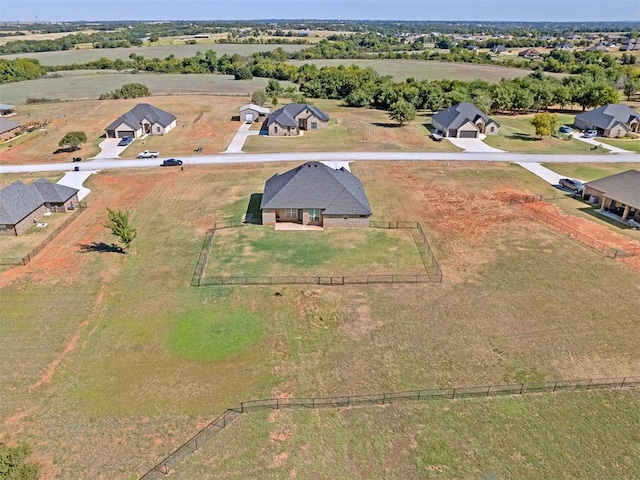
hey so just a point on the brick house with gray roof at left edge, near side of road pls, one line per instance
(22, 205)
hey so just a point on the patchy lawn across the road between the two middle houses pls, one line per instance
(354, 129)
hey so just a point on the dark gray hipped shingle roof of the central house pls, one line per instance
(315, 185)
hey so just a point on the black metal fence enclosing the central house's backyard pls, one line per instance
(432, 271)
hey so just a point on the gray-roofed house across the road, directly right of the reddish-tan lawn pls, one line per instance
(463, 120)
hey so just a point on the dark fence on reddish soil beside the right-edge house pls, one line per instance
(520, 204)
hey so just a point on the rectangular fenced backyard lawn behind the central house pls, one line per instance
(262, 251)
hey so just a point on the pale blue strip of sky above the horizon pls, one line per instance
(469, 10)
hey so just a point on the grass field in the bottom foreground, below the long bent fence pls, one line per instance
(547, 436)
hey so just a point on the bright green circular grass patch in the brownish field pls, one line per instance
(214, 335)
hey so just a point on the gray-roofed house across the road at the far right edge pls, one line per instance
(613, 120)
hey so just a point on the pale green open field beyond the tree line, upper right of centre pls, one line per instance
(400, 70)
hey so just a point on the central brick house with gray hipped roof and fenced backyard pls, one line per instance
(315, 194)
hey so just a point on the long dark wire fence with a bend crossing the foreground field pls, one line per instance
(222, 421)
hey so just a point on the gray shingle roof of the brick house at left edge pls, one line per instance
(18, 200)
